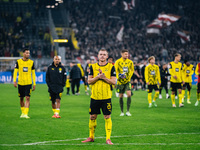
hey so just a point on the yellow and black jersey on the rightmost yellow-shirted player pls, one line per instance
(187, 73)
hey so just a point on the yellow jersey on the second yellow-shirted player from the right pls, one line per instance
(175, 69)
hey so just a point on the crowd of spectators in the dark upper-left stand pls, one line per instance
(18, 31)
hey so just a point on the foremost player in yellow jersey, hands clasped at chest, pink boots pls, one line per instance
(101, 76)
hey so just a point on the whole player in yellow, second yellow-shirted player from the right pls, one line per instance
(176, 80)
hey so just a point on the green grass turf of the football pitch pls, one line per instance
(163, 127)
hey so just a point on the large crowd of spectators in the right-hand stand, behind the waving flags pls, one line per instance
(96, 24)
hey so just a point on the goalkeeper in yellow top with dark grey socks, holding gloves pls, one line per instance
(124, 70)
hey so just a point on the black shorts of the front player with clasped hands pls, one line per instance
(104, 105)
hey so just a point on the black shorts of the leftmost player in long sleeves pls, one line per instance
(24, 90)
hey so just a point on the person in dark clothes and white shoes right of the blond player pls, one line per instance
(164, 79)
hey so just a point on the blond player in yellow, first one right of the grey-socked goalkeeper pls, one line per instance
(152, 77)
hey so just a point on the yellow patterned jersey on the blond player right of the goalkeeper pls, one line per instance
(152, 74)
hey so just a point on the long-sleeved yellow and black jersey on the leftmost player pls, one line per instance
(26, 71)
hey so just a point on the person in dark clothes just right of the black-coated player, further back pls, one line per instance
(75, 77)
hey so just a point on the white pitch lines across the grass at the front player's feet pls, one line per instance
(77, 139)
